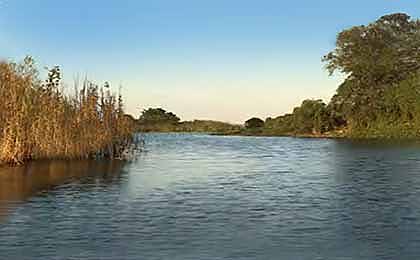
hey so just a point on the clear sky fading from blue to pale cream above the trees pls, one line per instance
(225, 60)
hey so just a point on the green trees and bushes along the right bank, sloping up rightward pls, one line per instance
(380, 96)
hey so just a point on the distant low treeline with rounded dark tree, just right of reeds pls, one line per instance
(159, 120)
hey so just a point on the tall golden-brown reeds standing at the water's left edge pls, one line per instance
(38, 120)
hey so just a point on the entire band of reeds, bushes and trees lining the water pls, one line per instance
(379, 98)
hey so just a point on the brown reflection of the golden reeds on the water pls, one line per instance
(20, 183)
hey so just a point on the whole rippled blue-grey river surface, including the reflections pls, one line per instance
(208, 197)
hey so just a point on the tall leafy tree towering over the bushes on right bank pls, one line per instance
(374, 57)
